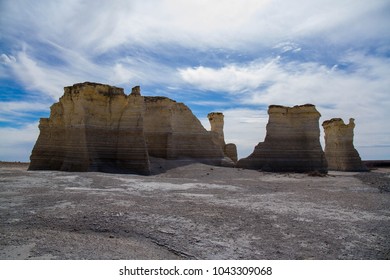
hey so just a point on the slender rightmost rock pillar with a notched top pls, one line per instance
(339, 150)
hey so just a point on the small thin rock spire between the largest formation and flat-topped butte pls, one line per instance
(216, 120)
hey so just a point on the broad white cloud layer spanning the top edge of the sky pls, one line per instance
(97, 26)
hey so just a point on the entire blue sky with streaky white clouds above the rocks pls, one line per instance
(231, 56)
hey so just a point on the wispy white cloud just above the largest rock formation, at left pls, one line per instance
(50, 80)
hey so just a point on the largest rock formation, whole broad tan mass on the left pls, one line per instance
(96, 127)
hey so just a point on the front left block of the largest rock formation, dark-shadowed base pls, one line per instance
(93, 127)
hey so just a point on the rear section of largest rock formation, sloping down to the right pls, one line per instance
(173, 132)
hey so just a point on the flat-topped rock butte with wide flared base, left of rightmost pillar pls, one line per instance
(291, 143)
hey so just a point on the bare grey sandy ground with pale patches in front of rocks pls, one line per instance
(193, 212)
